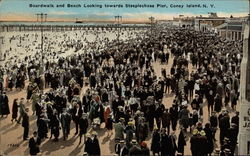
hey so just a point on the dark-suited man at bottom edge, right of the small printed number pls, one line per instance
(34, 143)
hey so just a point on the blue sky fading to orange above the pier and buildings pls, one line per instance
(19, 10)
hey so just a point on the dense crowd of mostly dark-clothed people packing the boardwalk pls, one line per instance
(118, 86)
